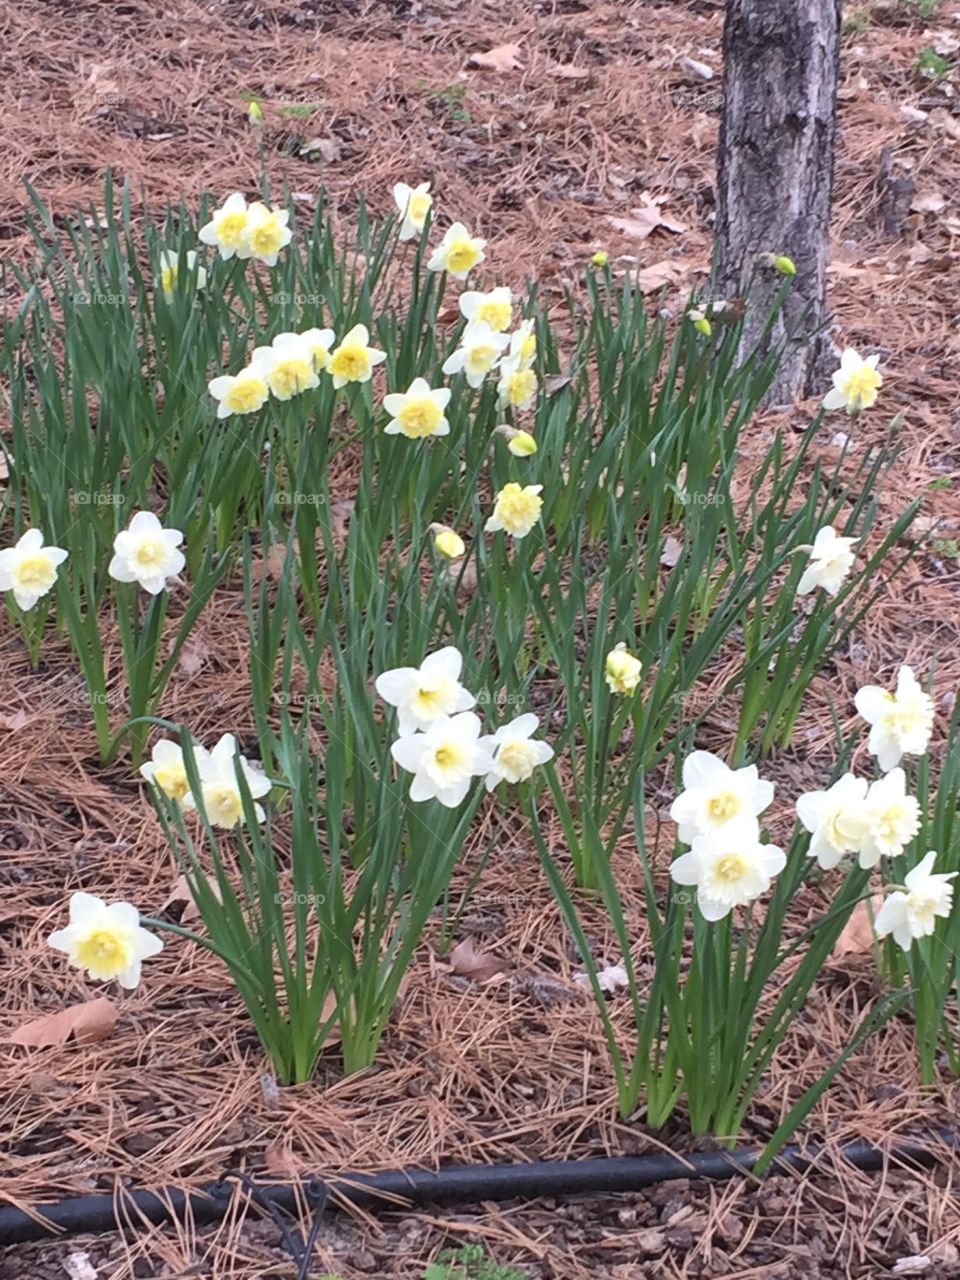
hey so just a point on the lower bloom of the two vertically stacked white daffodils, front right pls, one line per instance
(730, 868)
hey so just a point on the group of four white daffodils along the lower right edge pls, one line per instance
(880, 820)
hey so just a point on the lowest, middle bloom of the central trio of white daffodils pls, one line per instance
(445, 760)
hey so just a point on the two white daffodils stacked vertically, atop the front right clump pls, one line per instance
(717, 815)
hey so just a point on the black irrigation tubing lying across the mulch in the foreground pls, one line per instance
(459, 1185)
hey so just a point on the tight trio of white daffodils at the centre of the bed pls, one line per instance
(441, 738)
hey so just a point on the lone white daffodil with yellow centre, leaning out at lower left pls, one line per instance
(106, 940)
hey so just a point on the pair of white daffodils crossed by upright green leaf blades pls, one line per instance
(217, 770)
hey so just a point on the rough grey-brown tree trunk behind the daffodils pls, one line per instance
(776, 172)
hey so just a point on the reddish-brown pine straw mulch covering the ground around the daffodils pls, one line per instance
(511, 1068)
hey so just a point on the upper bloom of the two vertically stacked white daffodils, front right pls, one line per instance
(716, 798)
